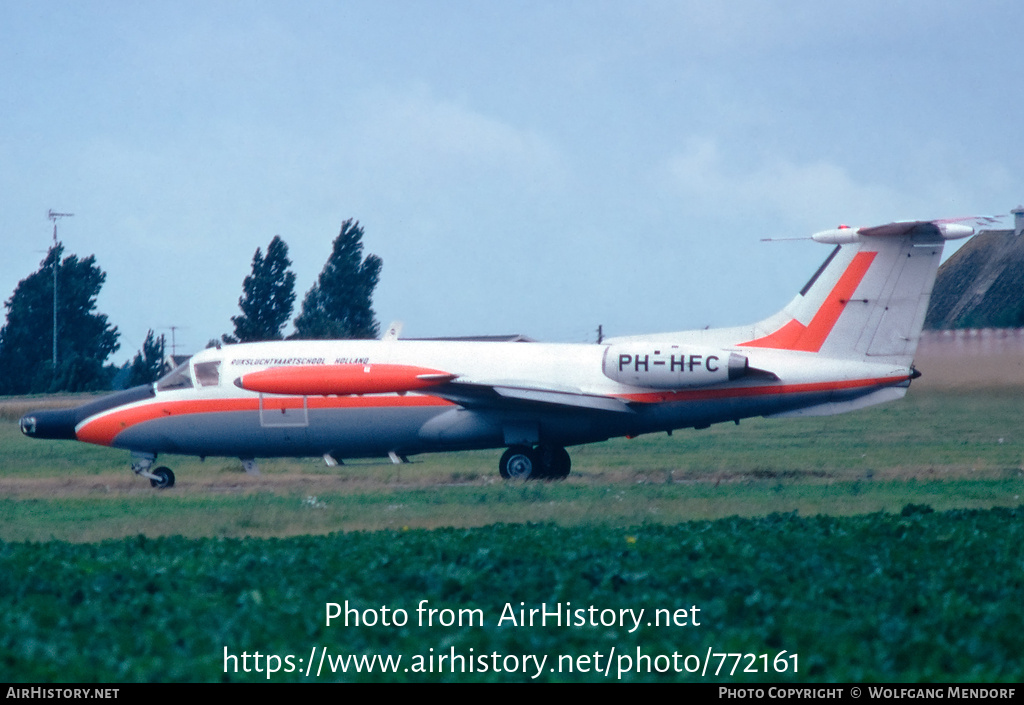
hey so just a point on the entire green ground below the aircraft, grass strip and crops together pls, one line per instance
(880, 546)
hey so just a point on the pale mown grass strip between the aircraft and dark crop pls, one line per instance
(945, 449)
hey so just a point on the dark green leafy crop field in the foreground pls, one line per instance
(913, 597)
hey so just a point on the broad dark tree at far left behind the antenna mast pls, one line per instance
(86, 339)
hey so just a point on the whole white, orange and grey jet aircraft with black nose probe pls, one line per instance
(846, 342)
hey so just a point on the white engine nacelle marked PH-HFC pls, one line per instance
(664, 366)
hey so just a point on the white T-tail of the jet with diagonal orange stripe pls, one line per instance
(869, 300)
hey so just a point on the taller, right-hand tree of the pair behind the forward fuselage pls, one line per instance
(339, 305)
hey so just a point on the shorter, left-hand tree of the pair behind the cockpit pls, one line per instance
(268, 297)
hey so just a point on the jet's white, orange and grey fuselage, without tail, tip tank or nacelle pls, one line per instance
(546, 393)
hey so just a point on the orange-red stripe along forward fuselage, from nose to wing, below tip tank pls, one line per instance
(104, 430)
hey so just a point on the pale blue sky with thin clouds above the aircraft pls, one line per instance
(521, 168)
